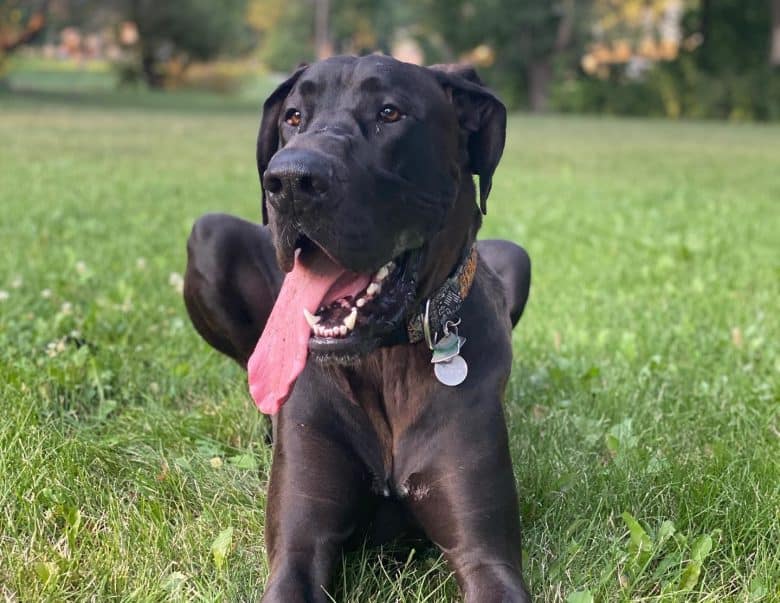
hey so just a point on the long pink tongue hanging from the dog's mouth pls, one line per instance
(280, 353)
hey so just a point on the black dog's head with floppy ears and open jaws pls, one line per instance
(366, 167)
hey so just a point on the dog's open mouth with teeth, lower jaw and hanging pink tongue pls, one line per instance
(330, 312)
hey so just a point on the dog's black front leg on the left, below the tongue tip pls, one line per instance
(316, 482)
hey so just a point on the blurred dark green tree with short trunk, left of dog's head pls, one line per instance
(184, 31)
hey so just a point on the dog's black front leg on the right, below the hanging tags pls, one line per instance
(463, 494)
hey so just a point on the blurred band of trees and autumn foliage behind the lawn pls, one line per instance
(722, 59)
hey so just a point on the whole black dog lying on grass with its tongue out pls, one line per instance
(366, 166)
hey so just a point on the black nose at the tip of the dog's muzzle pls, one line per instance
(299, 177)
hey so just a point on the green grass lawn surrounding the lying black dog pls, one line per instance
(643, 404)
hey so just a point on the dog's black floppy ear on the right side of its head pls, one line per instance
(482, 117)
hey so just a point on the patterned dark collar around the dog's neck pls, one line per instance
(443, 305)
